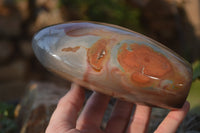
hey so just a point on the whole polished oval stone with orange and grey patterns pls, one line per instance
(115, 61)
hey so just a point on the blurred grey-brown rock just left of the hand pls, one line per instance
(37, 106)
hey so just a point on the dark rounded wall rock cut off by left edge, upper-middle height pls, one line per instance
(6, 51)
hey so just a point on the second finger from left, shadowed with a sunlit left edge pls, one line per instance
(93, 112)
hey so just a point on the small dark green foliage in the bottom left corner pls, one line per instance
(7, 122)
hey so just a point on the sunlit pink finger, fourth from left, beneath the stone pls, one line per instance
(140, 119)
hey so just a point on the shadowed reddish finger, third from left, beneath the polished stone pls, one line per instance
(119, 118)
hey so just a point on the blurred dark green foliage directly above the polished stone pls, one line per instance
(110, 11)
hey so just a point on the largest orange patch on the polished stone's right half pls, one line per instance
(143, 62)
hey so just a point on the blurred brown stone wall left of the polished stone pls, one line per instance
(19, 20)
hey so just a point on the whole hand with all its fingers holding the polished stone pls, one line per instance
(71, 117)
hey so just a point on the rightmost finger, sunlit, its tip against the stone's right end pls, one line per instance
(172, 121)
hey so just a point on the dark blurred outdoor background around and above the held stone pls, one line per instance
(175, 23)
